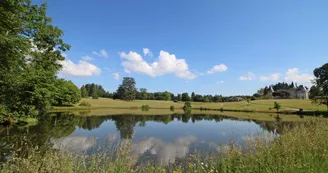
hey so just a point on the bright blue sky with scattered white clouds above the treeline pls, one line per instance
(252, 43)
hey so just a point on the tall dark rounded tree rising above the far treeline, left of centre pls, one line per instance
(127, 90)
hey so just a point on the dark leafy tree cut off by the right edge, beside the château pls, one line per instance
(319, 94)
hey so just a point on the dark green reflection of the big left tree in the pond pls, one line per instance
(22, 139)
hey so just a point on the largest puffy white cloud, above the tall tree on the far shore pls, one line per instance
(166, 63)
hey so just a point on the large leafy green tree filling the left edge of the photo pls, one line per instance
(31, 52)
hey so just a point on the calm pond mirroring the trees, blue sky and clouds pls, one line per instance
(160, 138)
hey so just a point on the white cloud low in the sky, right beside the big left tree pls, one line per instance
(83, 68)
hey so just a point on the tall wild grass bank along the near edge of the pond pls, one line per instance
(301, 149)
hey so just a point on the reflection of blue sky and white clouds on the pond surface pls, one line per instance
(166, 142)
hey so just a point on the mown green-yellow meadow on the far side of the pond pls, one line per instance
(257, 105)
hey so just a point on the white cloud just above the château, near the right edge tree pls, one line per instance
(292, 75)
